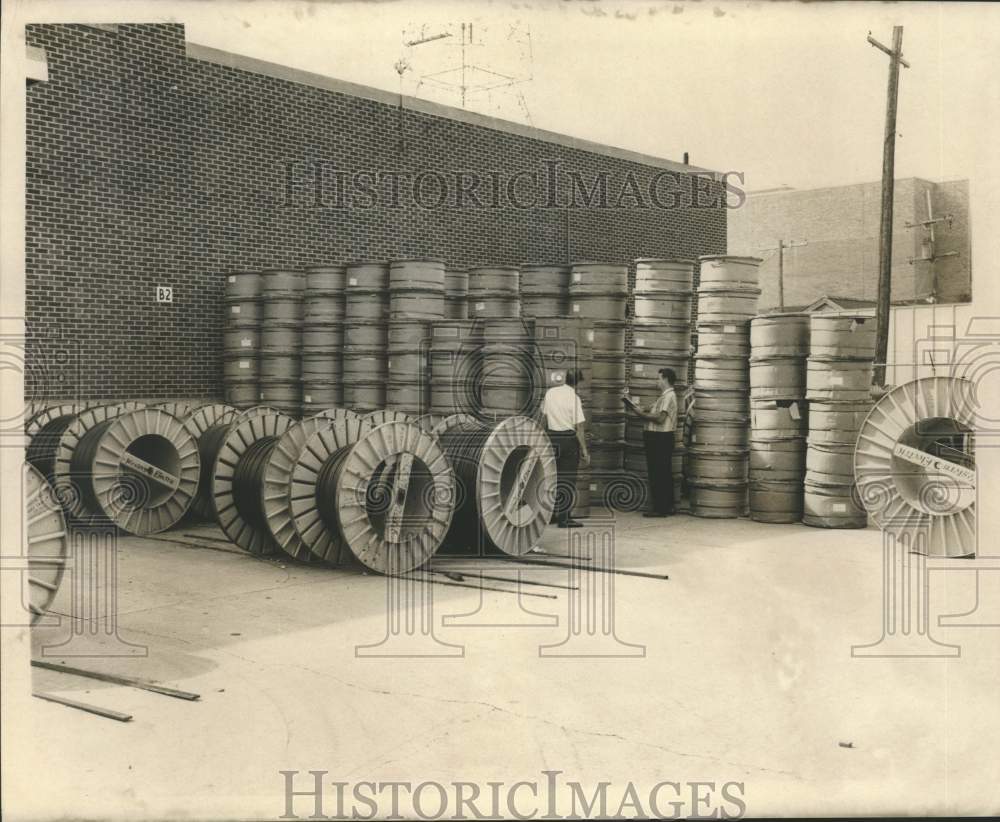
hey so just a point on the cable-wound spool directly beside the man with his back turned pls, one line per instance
(508, 475)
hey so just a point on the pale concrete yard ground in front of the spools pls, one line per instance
(738, 669)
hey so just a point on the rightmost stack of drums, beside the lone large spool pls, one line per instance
(838, 387)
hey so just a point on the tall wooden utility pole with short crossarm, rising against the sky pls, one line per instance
(885, 229)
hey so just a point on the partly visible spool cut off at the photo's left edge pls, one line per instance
(47, 541)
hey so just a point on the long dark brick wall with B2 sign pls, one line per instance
(146, 167)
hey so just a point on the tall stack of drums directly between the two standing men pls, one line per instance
(598, 295)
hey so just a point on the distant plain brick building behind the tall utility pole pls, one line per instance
(841, 228)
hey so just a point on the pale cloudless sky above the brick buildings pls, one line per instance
(790, 94)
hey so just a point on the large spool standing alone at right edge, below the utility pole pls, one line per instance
(915, 465)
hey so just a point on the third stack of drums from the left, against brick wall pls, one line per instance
(323, 338)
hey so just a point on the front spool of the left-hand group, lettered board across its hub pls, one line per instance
(138, 470)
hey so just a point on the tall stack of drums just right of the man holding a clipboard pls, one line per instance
(720, 437)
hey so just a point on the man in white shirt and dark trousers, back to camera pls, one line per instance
(566, 423)
